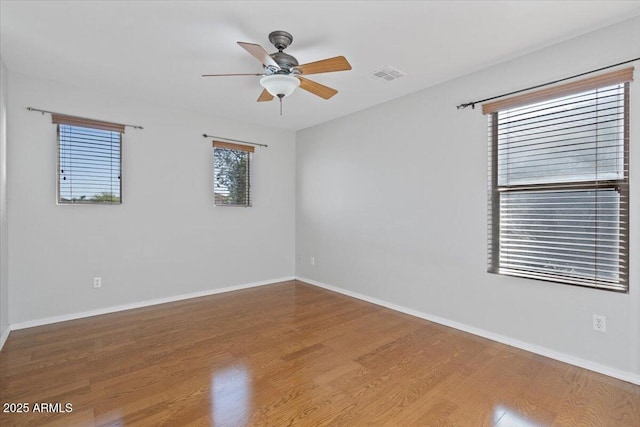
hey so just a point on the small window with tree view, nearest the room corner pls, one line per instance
(231, 174)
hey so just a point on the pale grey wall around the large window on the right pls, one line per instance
(391, 202)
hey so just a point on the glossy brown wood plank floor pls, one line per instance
(292, 354)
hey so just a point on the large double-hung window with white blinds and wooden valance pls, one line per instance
(558, 183)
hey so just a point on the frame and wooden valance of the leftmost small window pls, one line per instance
(77, 122)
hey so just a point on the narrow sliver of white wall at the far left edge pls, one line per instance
(4, 254)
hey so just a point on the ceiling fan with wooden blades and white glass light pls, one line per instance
(282, 73)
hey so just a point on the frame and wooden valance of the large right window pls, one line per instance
(621, 185)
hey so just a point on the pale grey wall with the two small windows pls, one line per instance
(167, 238)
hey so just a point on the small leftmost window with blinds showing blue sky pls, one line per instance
(89, 159)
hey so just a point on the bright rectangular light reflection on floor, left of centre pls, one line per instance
(231, 396)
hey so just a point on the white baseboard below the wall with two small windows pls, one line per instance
(114, 309)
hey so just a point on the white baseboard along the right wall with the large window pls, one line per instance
(543, 351)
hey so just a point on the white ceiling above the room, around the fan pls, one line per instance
(157, 50)
